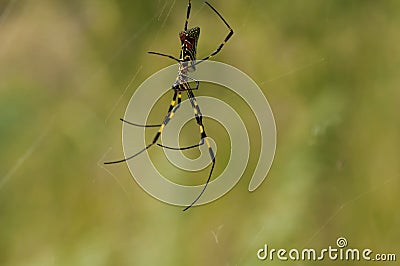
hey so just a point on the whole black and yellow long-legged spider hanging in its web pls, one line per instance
(187, 63)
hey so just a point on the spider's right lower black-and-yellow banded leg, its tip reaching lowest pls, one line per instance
(199, 119)
